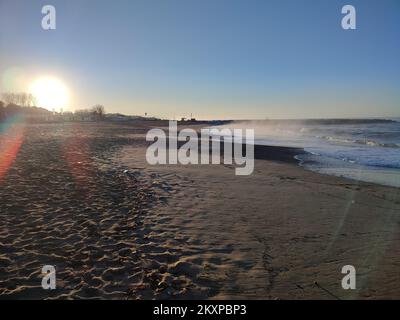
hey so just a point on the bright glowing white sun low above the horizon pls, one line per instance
(50, 93)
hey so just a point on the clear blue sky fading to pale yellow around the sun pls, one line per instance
(215, 58)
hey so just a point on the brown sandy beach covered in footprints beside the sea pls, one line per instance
(81, 197)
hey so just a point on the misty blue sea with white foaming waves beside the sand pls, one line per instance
(366, 150)
